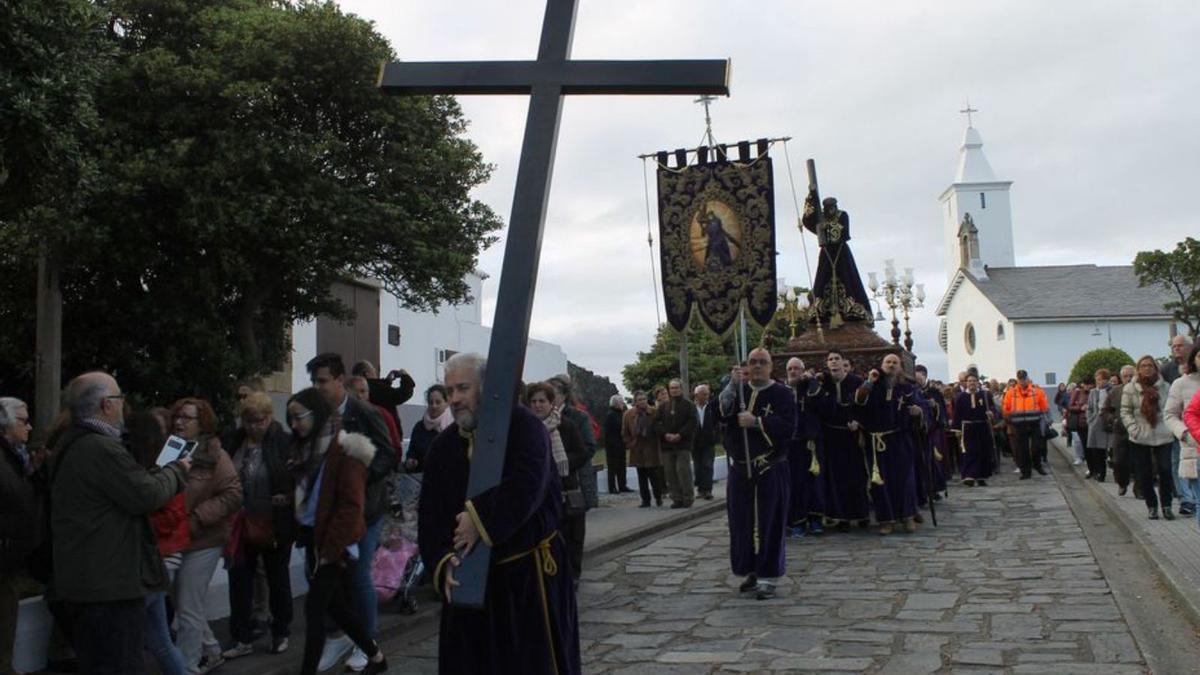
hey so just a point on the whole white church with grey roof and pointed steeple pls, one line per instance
(1001, 318)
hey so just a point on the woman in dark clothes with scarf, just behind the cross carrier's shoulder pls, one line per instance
(569, 455)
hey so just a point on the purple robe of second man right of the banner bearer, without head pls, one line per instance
(844, 470)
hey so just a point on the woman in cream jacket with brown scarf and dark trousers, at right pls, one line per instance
(1150, 440)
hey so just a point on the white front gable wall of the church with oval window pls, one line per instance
(993, 356)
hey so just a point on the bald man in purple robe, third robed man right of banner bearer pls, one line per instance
(893, 410)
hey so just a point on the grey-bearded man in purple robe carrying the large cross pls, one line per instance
(530, 623)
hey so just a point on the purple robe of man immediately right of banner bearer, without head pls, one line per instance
(806, 457)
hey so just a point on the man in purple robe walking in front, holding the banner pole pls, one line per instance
(760, 419)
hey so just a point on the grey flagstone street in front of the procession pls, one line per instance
(1007, 584)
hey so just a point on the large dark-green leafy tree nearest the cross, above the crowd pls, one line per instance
(248, 163)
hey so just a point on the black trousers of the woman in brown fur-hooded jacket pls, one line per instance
(329, 596)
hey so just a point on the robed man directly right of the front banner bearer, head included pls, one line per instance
(805, 456)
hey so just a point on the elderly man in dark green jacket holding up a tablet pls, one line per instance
(105, 551)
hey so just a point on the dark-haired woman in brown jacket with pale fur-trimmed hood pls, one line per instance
(331, 473)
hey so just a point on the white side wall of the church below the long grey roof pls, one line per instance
(1054, 347)
